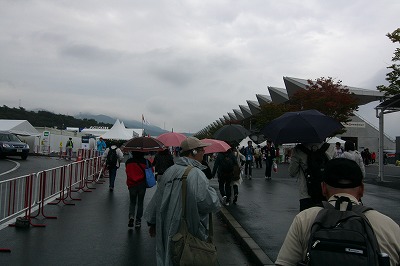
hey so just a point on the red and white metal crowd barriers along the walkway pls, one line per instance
(29, 194)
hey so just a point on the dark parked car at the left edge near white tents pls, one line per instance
(11, 145)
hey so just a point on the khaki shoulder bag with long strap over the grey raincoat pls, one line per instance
(187, 249)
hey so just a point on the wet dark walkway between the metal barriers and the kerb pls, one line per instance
(95, 232)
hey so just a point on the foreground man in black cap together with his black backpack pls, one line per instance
(343, 232)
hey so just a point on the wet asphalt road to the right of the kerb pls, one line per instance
(266, 208)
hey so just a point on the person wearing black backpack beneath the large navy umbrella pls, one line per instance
(307, 163)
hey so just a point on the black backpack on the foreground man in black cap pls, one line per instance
(343, 237)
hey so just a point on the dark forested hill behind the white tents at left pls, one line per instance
(47, 119)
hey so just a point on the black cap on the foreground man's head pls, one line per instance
(342, 173)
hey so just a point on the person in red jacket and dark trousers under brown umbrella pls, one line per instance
(136, 182)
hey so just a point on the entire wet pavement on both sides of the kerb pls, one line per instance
(95, 232)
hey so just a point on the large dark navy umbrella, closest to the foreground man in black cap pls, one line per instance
(310, 126)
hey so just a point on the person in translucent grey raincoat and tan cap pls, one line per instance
(163, 214)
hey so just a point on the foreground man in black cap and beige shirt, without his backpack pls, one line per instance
(342, 178)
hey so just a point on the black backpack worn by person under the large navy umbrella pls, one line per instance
(316, 161)
